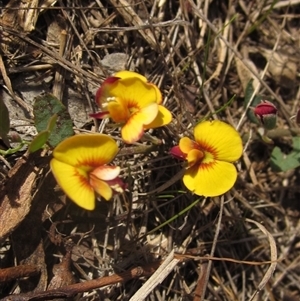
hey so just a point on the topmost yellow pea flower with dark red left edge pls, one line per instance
(128, 99)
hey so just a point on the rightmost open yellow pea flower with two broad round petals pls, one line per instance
(209, 158)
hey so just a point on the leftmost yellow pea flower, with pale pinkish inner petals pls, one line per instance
(80, 167)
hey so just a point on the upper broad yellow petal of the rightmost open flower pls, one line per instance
(219, 139)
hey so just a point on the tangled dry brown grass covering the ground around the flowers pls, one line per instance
(200, 55)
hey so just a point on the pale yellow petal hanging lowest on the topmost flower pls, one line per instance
(133, 130)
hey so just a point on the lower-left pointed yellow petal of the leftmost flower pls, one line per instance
(74, 182)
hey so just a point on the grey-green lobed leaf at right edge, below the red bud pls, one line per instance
(284, 162)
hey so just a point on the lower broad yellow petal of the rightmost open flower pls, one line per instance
(210, 180)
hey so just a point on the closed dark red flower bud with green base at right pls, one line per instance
(267, 113)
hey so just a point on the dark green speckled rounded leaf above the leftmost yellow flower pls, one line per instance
(50, 114)
